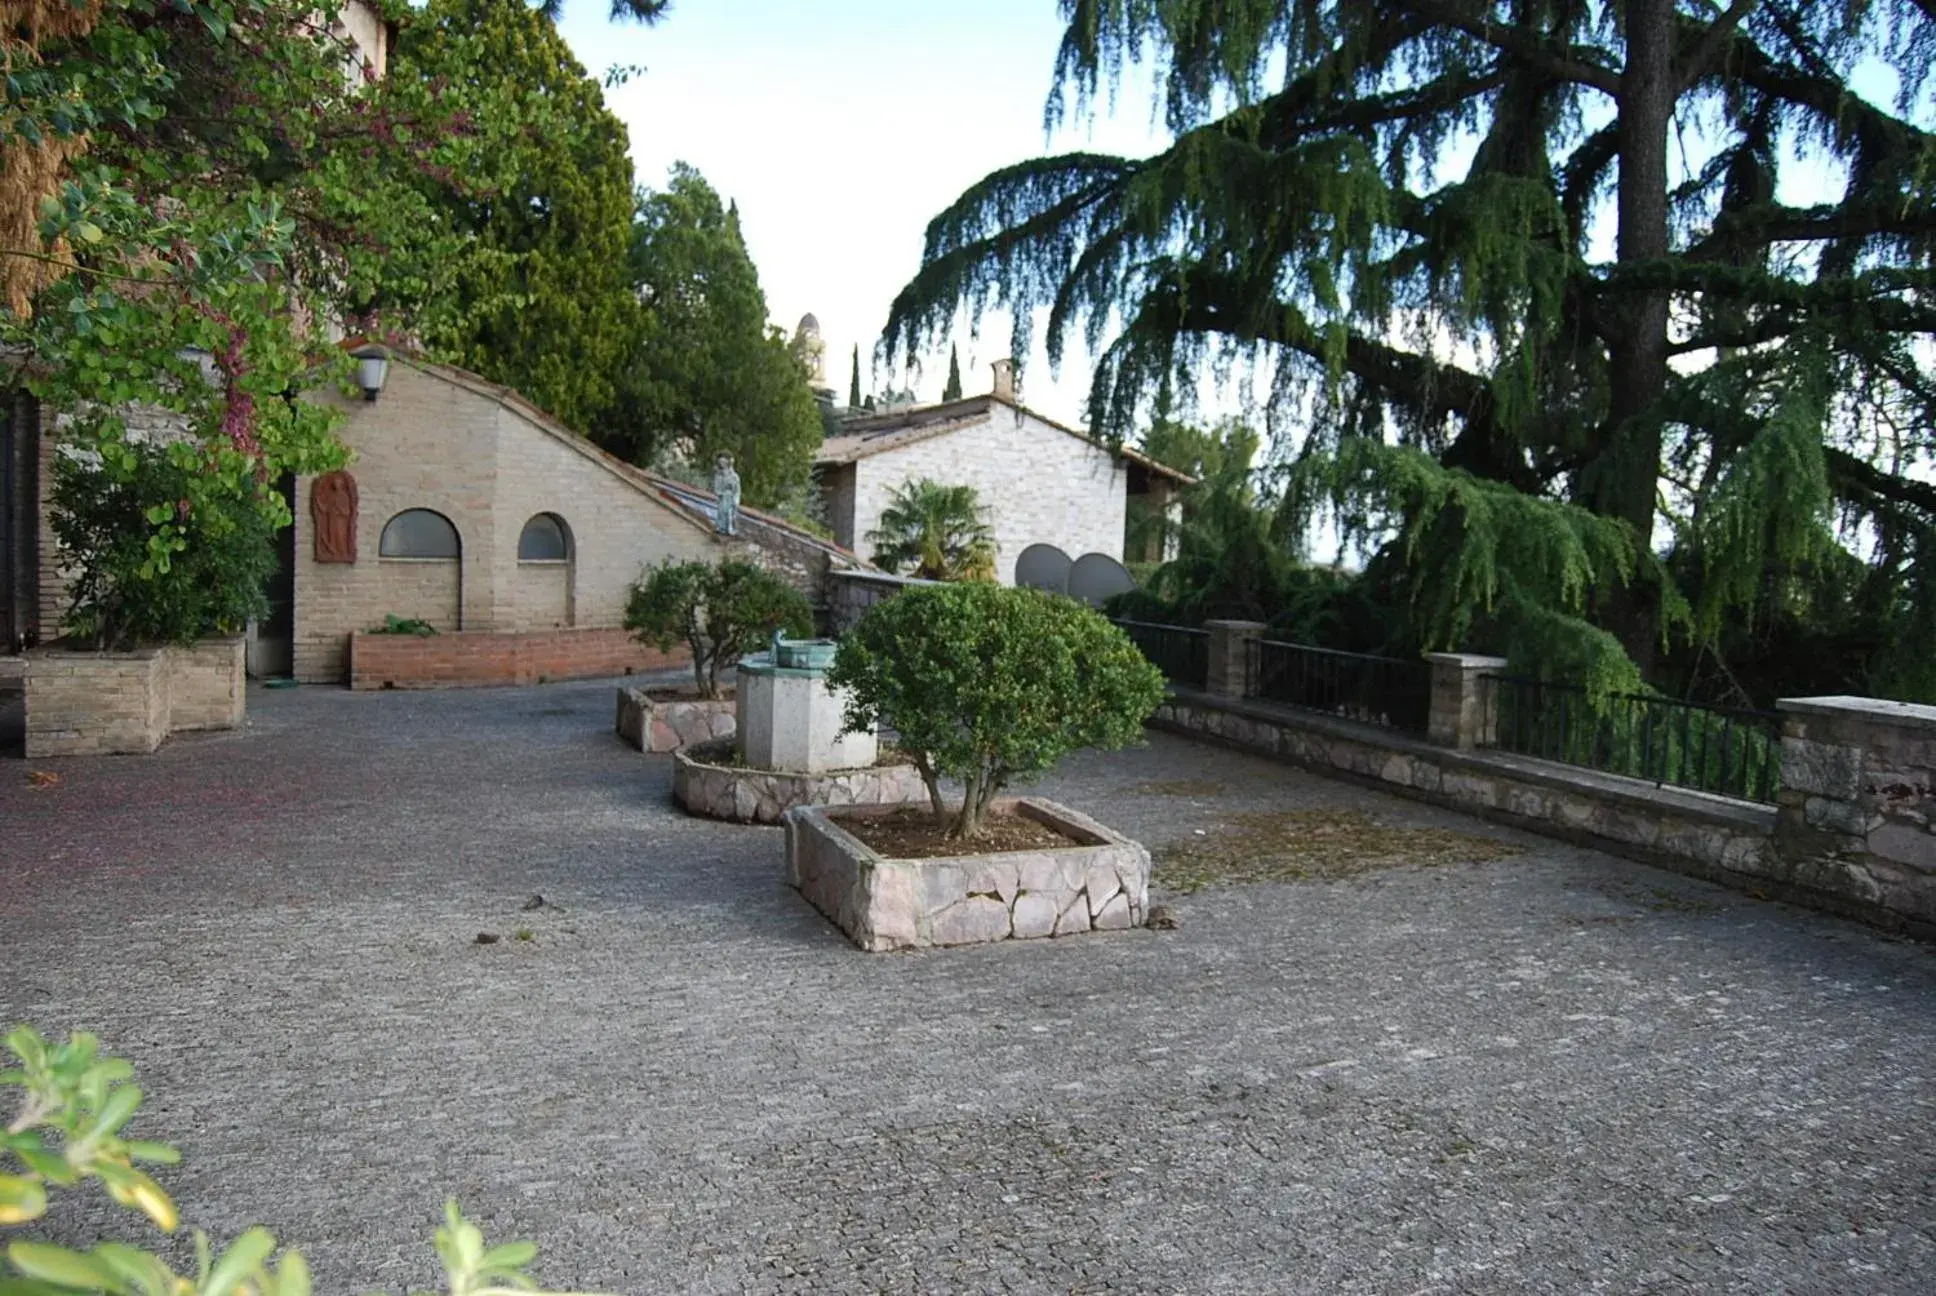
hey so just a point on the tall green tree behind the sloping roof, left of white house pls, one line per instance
(710, 375)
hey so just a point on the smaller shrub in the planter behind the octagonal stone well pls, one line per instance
(719, 611)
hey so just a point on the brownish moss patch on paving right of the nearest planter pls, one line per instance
(1314, 846)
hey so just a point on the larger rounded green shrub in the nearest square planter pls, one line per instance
(992, 685)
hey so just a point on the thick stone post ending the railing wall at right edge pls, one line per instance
(1858, 805)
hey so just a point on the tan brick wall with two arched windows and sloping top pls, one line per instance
(464, 452)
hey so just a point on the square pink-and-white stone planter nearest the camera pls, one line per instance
(1097, 886)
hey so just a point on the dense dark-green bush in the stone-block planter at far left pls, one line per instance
(158, 555)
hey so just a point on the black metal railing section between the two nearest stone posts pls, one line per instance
(1722, 751)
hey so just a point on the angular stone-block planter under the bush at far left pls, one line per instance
(98, 704)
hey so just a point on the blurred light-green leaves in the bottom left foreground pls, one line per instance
(75, 1105)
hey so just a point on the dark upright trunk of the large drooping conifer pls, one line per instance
(1623, 479)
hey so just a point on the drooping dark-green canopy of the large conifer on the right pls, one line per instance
(1610, 324)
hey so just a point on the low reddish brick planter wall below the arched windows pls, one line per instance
(479, 658)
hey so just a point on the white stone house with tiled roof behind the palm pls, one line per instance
(1043, 483)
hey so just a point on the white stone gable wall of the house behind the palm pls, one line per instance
(1039, 485)
